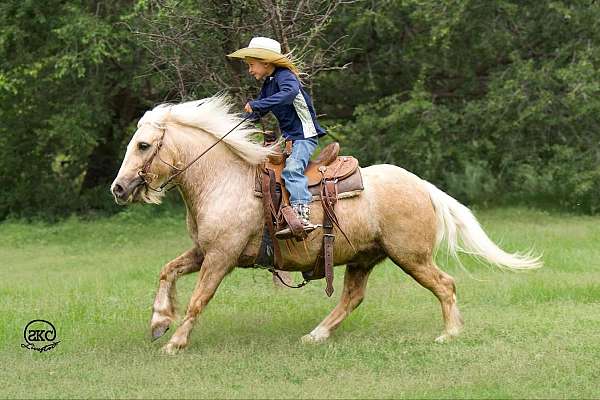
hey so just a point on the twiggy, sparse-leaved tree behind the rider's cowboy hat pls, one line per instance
(189, 44)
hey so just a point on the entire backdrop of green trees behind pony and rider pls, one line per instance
(490, 100)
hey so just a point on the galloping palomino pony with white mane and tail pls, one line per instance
(398, 215)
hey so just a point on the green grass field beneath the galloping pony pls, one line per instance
(527, 335)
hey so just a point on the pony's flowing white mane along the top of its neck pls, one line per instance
(213, 116)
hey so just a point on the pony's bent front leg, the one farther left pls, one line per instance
(163, 310)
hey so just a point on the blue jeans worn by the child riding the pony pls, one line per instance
(293, 173)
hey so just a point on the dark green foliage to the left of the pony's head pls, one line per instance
(64, 81)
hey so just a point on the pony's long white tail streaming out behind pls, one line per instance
(461, 231)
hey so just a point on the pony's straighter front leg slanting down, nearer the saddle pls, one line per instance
(214, 268)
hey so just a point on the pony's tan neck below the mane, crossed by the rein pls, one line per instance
(218, 170)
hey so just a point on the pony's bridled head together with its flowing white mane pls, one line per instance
(152, 149)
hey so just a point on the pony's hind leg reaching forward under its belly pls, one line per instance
(355, 282)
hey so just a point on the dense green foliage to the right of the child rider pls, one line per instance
(484, 98)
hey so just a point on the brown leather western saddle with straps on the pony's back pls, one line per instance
(330, 177)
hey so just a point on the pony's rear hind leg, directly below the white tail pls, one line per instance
(426, 273)
